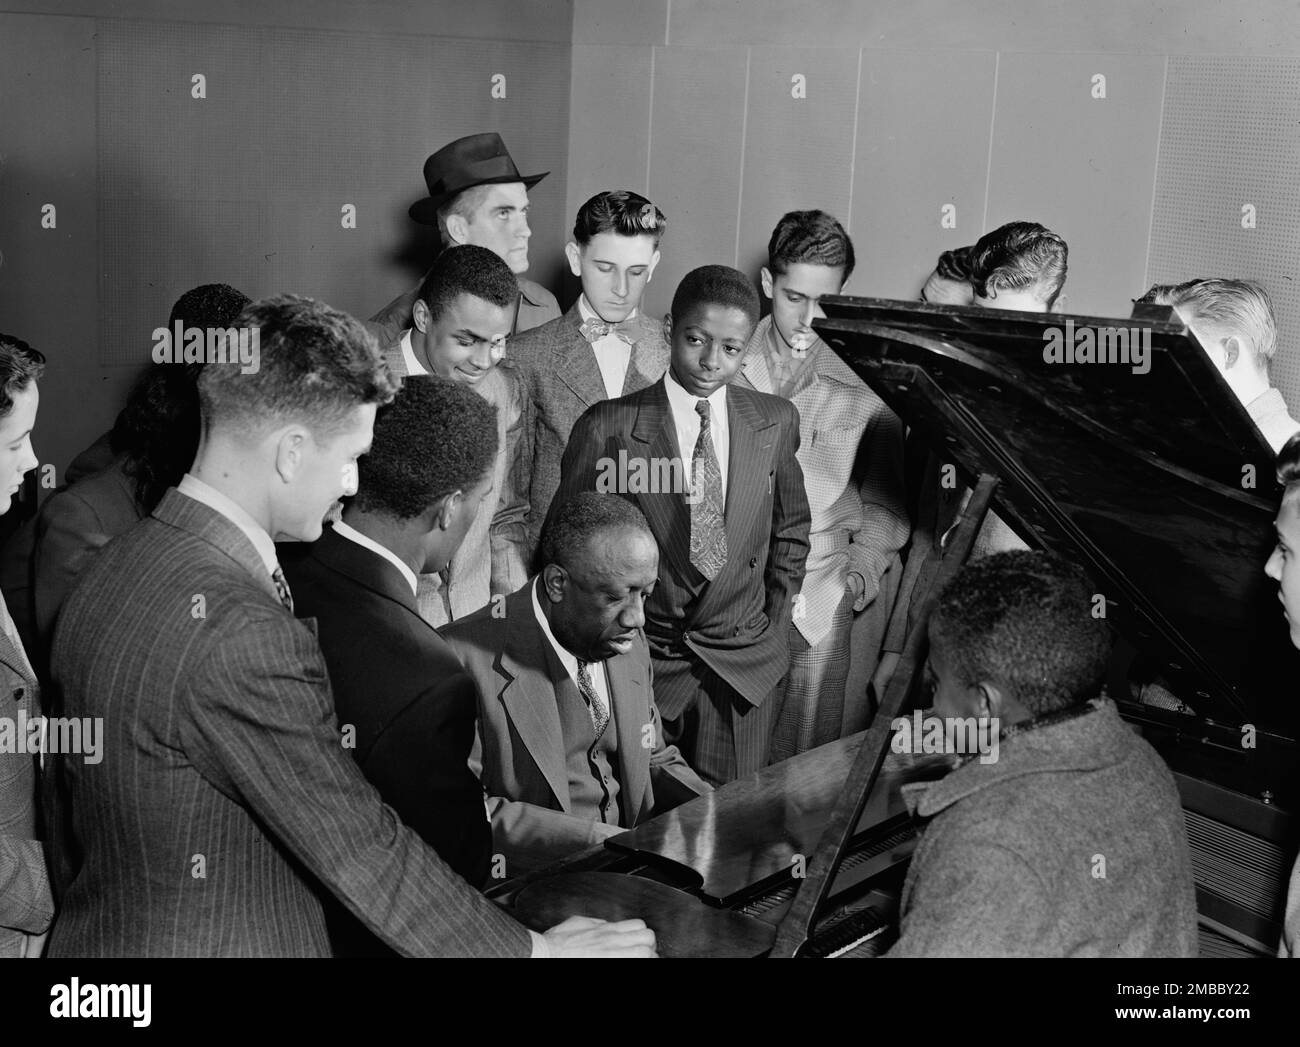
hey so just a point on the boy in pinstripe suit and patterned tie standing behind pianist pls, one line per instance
(733, 547)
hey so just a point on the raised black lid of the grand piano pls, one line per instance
(1158, 483)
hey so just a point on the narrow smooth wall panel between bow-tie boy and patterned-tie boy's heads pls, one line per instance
(696, 155)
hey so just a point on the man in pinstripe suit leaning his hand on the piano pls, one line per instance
(226, 798)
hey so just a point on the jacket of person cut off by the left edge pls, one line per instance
(27, 906)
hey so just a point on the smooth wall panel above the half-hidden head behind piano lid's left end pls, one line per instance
(922, 146)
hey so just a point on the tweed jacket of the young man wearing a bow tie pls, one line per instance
(564, 379)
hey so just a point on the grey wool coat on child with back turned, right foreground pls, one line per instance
(1071, 845)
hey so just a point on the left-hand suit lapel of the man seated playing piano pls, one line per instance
(528, 694)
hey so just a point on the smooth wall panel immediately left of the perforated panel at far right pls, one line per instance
(1082, 163)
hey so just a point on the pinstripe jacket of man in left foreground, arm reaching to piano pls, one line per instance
(226, 799)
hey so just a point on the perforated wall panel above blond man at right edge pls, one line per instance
(1227, 194)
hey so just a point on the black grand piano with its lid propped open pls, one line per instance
(1143, 469)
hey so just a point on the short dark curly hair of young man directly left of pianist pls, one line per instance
(436, 438)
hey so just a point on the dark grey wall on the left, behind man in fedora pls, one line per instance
(310, 106)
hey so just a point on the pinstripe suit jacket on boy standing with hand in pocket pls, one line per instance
(736, 625)
